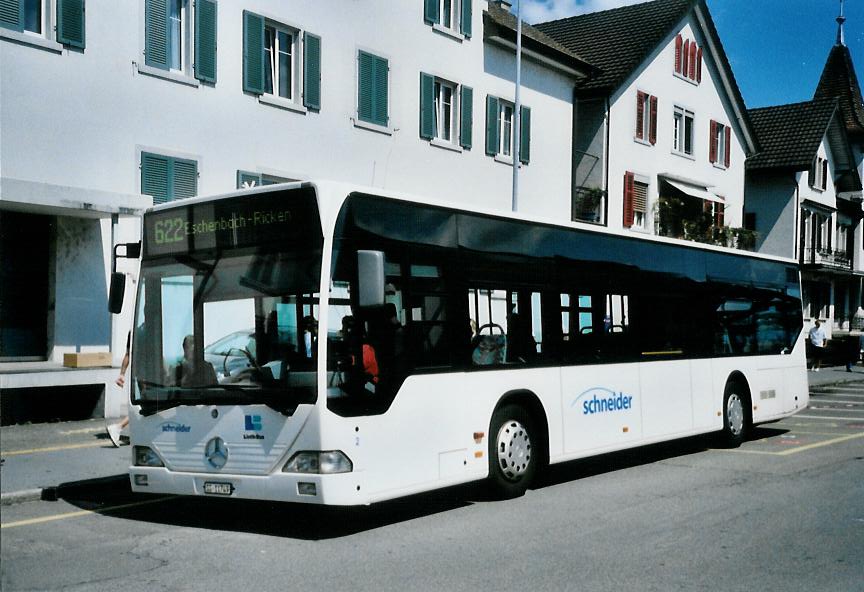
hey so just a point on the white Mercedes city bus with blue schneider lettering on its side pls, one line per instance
(330, 344)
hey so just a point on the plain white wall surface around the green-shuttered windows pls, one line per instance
(81, 119)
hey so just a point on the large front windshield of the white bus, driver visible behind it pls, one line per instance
(232, 322)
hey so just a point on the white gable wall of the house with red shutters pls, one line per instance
(707, 100)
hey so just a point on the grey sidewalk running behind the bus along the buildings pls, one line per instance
(47, 455)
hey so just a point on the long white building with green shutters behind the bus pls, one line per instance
(106, 110)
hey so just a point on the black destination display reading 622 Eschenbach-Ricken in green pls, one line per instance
(259, 219)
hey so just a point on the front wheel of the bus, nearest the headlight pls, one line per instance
(513, 451)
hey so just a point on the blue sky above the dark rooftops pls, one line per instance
(777, 48)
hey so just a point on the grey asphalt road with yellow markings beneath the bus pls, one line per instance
(783, 512)
